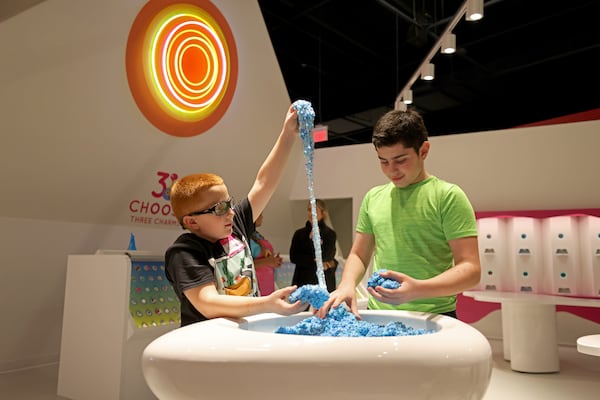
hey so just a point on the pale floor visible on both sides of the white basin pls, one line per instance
(579, 379)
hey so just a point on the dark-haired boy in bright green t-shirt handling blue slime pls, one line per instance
(419, 228)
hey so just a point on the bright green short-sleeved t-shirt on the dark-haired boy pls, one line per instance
(412, 227)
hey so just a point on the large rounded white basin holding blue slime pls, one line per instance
(227, 359)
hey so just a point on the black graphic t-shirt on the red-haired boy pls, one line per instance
(192, 261)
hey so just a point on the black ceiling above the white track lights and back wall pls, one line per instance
(524, 62)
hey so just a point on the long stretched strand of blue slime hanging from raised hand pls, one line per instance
(306, 118)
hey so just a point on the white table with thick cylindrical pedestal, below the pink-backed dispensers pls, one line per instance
(529, 327)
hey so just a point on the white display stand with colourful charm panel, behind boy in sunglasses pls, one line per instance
(116, 303)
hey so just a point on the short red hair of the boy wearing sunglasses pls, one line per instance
(186, 193)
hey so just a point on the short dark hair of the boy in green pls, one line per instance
(405, 127)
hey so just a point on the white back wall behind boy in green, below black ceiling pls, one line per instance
(537, 168)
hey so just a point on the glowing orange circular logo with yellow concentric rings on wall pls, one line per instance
(181, 65)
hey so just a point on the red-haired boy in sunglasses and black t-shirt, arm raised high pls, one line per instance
(211, 267)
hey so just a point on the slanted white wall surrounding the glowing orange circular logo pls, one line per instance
(76, 151)
